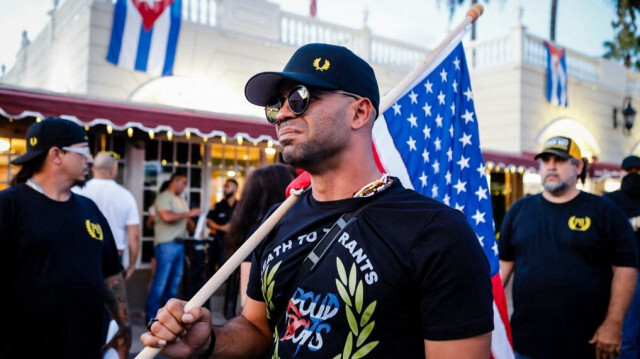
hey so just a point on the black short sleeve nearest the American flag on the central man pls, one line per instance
(454, 282)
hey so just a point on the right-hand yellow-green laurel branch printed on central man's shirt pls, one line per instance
(352, 293)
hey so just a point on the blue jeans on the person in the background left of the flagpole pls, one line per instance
(166, 281)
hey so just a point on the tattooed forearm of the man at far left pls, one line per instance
(116, 302)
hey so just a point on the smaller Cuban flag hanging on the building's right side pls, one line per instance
(556, 75)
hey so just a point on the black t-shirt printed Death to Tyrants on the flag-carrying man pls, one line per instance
(408, 269)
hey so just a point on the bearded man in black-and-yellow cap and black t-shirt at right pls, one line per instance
(574, 259)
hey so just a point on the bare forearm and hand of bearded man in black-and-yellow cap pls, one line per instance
(608, 337)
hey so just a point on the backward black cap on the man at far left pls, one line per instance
(50, 132)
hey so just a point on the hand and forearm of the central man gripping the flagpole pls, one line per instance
(247, 335)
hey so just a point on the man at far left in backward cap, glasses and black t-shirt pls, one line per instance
(58, 253)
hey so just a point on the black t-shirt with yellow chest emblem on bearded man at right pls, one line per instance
(563, 255)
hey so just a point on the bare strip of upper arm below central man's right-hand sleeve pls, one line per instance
(469, 348)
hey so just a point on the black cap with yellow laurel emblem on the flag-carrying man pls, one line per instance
(324, 66)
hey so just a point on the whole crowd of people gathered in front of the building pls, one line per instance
(358, 267)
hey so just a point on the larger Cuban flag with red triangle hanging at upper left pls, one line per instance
(144, 35)
